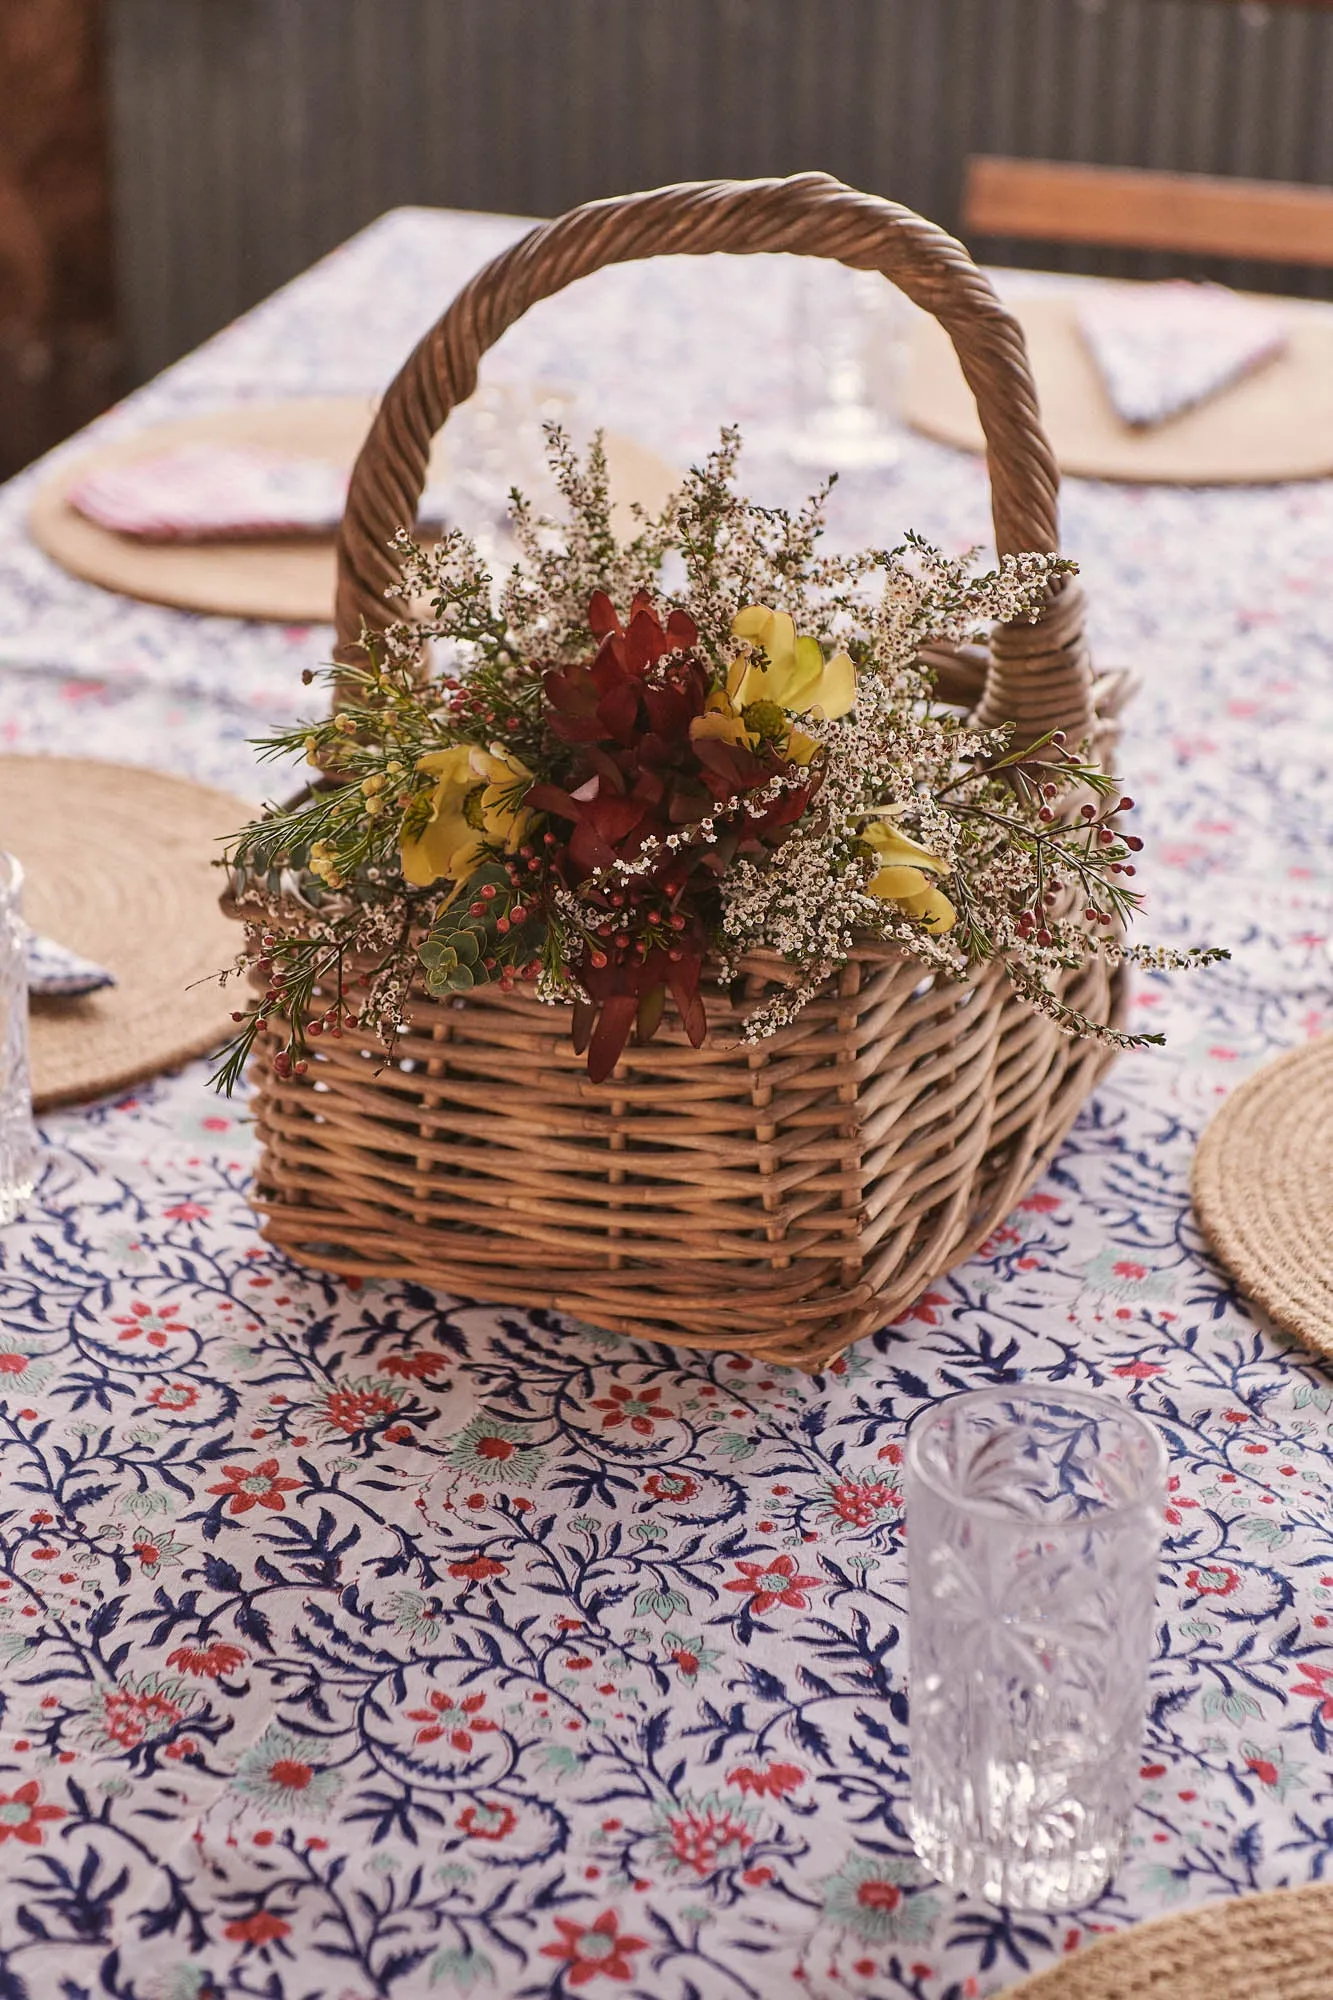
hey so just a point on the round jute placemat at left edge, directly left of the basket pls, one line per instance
(117, 865)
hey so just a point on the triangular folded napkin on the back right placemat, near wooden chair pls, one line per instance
(1164, 349)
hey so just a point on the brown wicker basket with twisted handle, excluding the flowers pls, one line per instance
(780, 1199)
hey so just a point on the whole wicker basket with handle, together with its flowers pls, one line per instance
(663, 941)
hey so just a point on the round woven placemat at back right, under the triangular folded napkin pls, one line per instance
(1274, 425)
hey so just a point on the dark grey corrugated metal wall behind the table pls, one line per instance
(255, 135)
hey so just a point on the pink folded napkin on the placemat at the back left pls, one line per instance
(221, 493)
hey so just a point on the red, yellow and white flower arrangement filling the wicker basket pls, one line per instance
(617, 791)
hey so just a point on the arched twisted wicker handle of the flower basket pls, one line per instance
(1040, 675)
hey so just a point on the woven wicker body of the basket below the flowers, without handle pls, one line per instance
(778, 1199)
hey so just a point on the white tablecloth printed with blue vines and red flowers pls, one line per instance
(359, 1641)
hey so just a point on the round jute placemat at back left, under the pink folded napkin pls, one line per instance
(287, 581)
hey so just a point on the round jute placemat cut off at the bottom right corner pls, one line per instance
(1276, 1947)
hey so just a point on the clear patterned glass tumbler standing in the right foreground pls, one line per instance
(1034, 1529)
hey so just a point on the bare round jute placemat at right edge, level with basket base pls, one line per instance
(1264, 1191)
